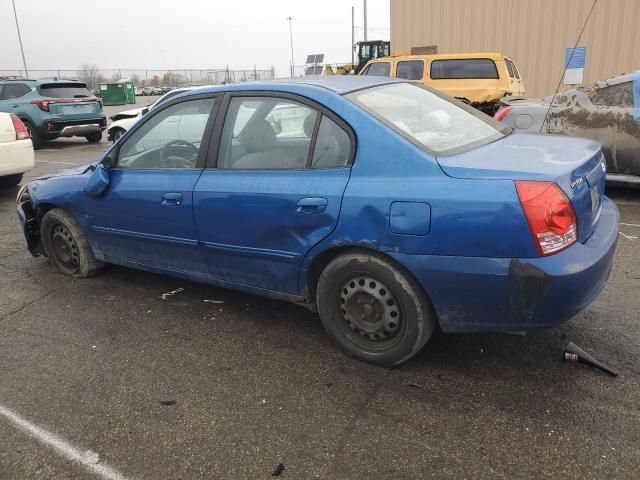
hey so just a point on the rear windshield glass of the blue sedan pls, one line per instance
(440, 124)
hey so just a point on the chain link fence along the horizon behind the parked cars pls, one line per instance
(92, 76)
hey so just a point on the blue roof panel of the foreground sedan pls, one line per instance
(340, 84)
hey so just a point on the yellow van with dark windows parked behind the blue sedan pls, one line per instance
(480, 79)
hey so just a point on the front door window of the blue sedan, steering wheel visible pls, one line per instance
(170, 139)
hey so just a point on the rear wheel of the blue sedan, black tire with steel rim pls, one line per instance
(379, 335)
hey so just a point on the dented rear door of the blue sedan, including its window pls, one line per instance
(273, 190)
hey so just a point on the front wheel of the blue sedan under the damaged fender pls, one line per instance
(66, 246)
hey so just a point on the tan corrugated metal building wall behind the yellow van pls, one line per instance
(535, 33)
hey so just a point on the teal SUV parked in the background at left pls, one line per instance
(54, 108)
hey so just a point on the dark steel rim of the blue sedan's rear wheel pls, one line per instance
(370, 309)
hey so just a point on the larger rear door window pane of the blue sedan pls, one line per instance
(266, 133)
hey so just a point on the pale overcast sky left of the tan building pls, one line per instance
(199, 34)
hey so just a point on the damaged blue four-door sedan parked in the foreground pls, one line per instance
(386, 206)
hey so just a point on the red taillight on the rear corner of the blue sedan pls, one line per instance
(550, 216)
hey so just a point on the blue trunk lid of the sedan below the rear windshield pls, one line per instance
(575, 165)
